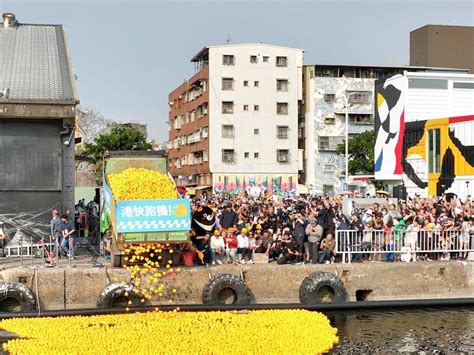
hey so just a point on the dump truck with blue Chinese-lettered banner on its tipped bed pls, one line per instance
(134, 222)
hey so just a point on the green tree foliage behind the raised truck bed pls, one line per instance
(119, 138)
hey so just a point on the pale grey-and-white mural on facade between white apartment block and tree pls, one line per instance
(328, 164)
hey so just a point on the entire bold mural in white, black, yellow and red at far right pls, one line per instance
(401, 147)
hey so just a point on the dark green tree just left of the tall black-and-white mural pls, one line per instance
(361, 153)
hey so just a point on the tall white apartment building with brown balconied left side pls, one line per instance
(234, 123)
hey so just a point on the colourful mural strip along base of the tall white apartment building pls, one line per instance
(235, 184)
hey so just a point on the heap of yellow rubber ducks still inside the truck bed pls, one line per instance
(141, 184)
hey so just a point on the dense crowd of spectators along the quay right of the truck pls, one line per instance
(302, 230)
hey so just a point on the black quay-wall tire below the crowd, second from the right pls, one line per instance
(225, 289)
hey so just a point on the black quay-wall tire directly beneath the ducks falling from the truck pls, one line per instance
(116, 295)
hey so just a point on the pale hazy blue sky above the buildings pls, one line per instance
(128, 55)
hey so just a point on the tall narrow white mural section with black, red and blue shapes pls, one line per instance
(389, 128)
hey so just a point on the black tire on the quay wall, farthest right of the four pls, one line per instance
(322, 287)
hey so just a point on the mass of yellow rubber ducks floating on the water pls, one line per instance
(175, 332)
